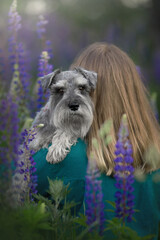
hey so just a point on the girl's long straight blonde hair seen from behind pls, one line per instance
(119, 90)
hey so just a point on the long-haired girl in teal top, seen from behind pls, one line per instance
(119, 90)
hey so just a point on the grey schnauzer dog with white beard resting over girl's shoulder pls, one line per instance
(68, 114)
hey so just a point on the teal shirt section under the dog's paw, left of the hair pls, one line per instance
(71, 170)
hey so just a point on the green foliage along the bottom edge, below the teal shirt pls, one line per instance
(54, 218)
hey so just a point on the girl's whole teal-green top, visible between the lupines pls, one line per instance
(73, 170)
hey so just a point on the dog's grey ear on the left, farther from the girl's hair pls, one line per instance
(48, 80)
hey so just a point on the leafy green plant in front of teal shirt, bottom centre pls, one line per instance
(62, 214)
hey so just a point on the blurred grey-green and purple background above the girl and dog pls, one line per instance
(133, 25)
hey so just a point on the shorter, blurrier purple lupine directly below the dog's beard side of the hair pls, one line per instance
(94, 198)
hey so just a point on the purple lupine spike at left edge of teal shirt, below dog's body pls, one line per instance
(27, 166)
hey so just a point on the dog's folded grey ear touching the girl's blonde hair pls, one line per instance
(89, 75)
